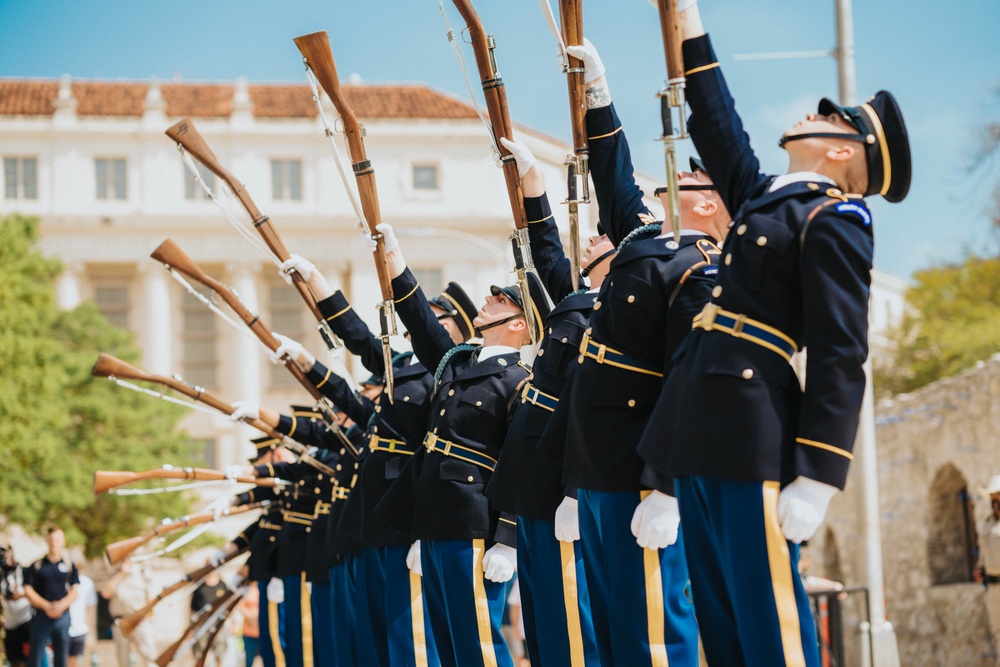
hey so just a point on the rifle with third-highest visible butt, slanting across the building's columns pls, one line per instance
(171, 256)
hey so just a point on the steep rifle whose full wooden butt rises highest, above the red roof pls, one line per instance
(318, 58)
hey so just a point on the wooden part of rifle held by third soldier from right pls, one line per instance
(496, 104)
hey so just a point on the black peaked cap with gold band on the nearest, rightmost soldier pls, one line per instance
(887, 145)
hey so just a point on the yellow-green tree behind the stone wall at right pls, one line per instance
(952, 322)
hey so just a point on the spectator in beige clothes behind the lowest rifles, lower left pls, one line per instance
(127, 591)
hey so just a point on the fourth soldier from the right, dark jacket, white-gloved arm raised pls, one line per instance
(463, 547)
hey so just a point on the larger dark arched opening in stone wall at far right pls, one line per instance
(951, 539)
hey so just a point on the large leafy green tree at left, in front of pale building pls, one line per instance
(58, 424)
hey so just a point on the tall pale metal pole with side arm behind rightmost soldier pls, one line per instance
(879, 639)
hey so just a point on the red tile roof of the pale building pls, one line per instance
(21, 97)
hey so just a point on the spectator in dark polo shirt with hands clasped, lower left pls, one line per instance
(51, 584)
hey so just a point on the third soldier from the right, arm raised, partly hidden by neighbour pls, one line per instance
(555, 604)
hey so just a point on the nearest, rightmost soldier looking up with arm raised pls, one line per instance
(755, 478)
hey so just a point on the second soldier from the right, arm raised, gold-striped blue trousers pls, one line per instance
(632, 552)
